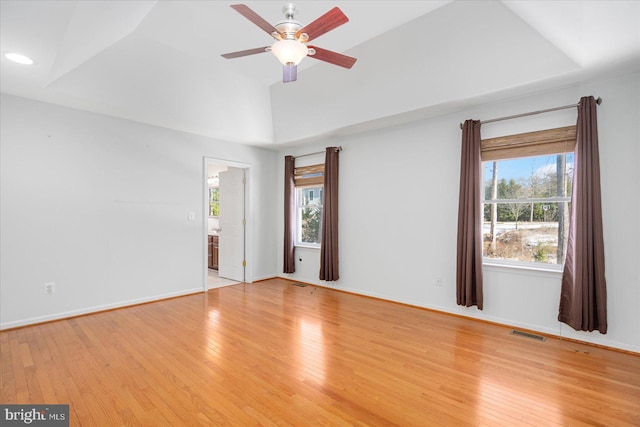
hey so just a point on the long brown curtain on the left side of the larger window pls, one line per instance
(469, 253)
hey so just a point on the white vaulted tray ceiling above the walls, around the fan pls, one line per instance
(158, 62)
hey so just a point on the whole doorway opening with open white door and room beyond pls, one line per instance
(225, 222)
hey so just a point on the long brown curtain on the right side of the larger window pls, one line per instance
(583, 297)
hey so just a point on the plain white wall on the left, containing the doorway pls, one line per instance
(100, 206)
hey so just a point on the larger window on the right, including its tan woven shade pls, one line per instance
(526, 196)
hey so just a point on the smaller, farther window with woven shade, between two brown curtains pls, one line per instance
(309, 185)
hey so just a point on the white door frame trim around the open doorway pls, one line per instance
(205, 209)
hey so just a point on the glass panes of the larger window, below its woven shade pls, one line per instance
(526, 209)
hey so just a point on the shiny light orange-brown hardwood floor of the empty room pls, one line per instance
(272, 353)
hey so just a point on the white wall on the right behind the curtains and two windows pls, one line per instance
(399, 202)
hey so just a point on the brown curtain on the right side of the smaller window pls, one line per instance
(329, 268)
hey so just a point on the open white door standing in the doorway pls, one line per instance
(231, 240)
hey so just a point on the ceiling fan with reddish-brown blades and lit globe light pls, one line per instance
(291, 37)
